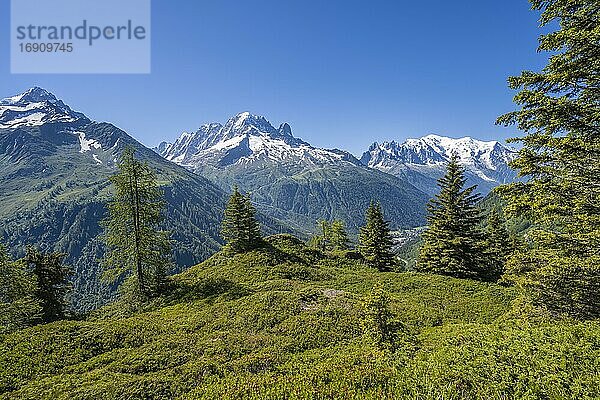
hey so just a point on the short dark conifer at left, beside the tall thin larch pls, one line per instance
(52, 283)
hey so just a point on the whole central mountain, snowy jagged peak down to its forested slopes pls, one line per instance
(291, 179)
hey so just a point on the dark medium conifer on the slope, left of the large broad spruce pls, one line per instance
(375, 240)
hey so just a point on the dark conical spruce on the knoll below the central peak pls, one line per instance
(240, 229)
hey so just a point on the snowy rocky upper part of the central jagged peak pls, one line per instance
(246, 139)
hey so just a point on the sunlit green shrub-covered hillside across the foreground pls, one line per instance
(286, 322)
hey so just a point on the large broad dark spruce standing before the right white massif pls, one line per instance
(452, 242)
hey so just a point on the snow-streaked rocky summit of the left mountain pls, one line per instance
(35, 107)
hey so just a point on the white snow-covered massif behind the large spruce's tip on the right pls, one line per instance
(423, 160)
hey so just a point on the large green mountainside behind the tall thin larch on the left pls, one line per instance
(54, 169)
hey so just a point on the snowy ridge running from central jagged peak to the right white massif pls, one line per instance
(247, 138)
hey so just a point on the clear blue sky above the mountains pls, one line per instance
(343, 73)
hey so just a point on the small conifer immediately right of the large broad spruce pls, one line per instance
(498, 246)
